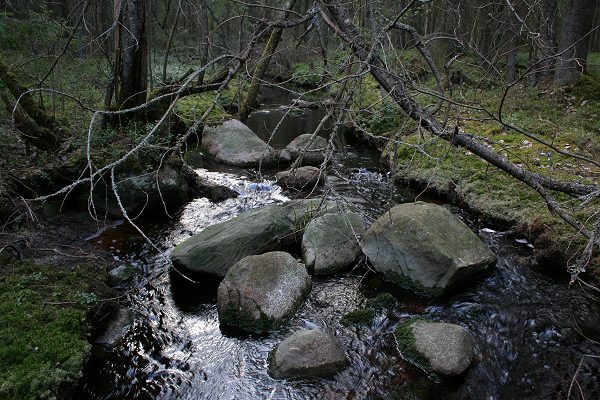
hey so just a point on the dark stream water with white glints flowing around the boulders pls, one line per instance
(527, 344)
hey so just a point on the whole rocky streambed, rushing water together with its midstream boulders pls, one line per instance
(509, 333)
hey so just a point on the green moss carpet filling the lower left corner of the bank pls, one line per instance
(43, 330)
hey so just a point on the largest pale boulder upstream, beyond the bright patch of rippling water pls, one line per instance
(233, 143)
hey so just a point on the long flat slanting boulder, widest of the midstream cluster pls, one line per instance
(216, 248)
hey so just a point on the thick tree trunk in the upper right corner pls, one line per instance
(574, 41)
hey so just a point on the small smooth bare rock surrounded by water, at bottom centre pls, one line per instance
(307, 354)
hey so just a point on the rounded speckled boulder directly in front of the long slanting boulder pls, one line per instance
(259, 293)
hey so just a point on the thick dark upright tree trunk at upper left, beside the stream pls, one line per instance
(132, 67)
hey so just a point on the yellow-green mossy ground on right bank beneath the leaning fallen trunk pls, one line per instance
(496, 197)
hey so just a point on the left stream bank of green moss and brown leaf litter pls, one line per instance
(53, 294)
